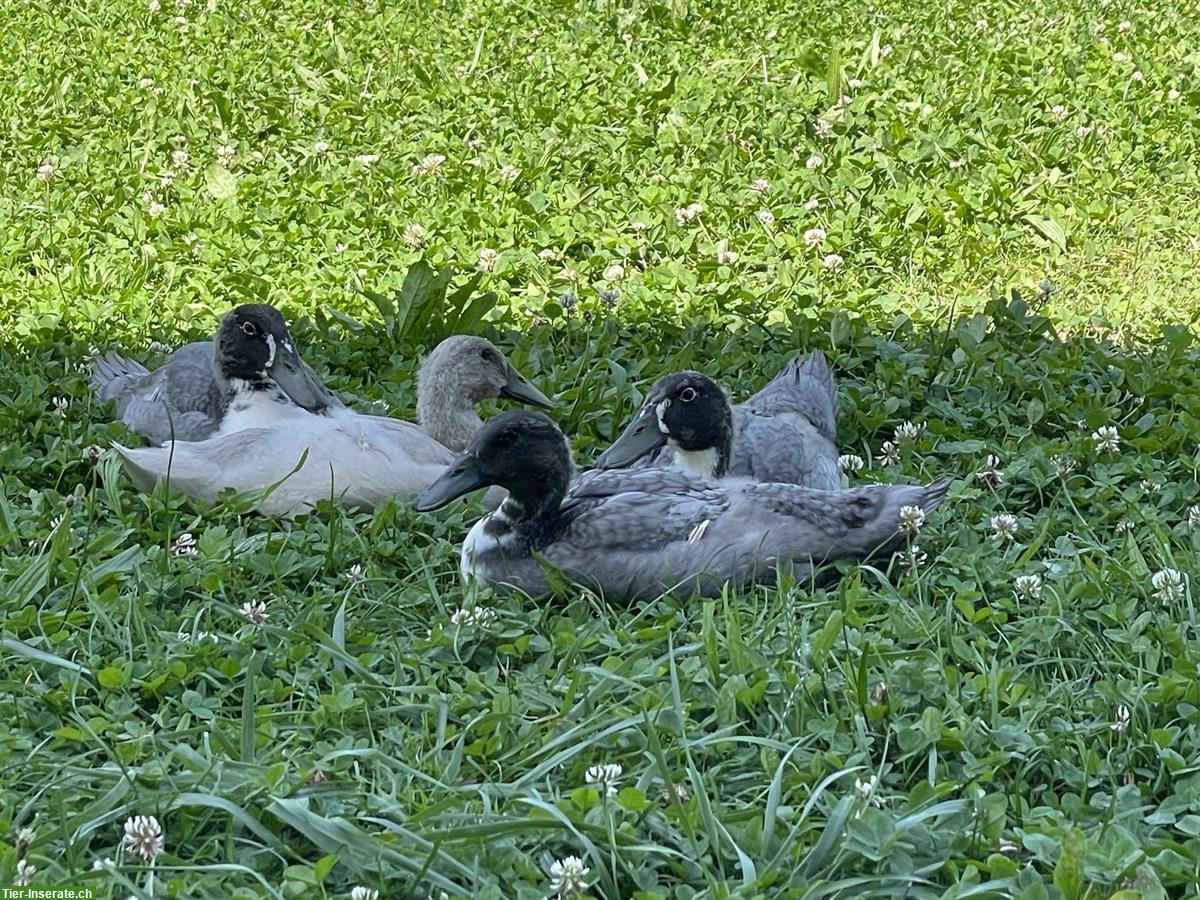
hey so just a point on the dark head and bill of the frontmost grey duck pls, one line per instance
(523, 452)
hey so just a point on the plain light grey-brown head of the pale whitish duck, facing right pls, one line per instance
(477, 369)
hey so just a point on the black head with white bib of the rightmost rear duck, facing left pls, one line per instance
(689, 413)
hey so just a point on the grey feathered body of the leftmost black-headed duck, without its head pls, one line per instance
(179, 400)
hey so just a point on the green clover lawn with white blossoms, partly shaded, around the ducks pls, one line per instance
(986, 215)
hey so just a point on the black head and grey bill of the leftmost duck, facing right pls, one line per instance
(254, 346)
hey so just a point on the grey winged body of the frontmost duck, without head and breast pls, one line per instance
(639, 533)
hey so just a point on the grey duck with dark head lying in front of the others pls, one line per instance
(639, 535)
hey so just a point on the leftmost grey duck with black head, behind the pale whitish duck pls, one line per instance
(187, 399)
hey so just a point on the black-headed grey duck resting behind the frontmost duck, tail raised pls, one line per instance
(784, 434)
